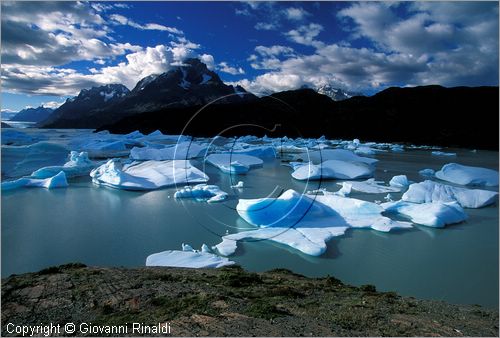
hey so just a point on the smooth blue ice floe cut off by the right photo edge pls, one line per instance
(466, 175)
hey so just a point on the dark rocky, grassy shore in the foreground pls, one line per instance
(227, 302)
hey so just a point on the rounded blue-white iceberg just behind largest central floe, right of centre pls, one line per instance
(333, 169)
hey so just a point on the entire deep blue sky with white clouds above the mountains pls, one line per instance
(52, 50)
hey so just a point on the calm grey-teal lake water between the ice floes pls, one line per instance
(107, 227)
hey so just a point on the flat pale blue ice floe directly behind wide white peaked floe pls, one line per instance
(180, 151)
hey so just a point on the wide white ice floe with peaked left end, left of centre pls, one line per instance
(148, 175)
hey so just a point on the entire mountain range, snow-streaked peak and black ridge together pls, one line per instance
(177, 102)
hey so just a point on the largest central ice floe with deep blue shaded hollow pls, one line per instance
(306, 222)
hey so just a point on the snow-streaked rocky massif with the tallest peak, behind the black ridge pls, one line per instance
(191, 84)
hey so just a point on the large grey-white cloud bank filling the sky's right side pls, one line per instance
(421, 43)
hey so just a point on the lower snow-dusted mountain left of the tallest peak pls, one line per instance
(77, 109)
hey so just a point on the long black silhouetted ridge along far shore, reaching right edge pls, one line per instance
(432, 115)
